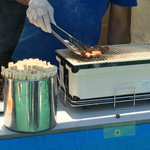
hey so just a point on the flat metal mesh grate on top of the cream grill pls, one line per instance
(117, 53)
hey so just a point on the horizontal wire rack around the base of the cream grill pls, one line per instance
(135, 97)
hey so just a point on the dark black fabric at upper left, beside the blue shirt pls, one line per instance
(12, 17)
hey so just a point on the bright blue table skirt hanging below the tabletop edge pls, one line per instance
(82, 140)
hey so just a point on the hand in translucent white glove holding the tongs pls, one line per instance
(41, 13)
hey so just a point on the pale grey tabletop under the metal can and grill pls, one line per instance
(74, 119)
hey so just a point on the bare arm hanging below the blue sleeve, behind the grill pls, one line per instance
(119, 25)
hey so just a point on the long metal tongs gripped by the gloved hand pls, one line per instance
(73, 44)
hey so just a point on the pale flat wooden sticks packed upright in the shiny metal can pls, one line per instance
(29, 69)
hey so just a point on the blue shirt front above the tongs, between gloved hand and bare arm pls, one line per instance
(81, 18)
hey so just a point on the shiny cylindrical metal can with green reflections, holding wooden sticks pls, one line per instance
(30, 106)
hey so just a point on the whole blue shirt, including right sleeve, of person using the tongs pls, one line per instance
(80, 18)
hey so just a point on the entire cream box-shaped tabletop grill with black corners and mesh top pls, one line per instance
(119, 76)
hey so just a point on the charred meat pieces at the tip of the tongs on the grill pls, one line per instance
(94, 51)
